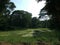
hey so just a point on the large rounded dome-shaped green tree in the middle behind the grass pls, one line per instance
(21, 18)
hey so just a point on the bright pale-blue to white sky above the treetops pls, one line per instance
(29, 5)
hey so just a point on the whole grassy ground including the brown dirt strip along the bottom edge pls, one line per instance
(38, 36)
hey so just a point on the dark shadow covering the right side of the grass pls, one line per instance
(46, 36)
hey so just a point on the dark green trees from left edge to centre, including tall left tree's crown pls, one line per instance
(16, 19)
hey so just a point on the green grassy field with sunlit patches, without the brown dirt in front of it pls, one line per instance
(28, 35)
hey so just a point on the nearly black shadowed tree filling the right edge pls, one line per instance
(52, 7)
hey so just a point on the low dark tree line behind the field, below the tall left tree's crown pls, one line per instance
(20, 19)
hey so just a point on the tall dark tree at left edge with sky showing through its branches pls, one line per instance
(5, 9)
